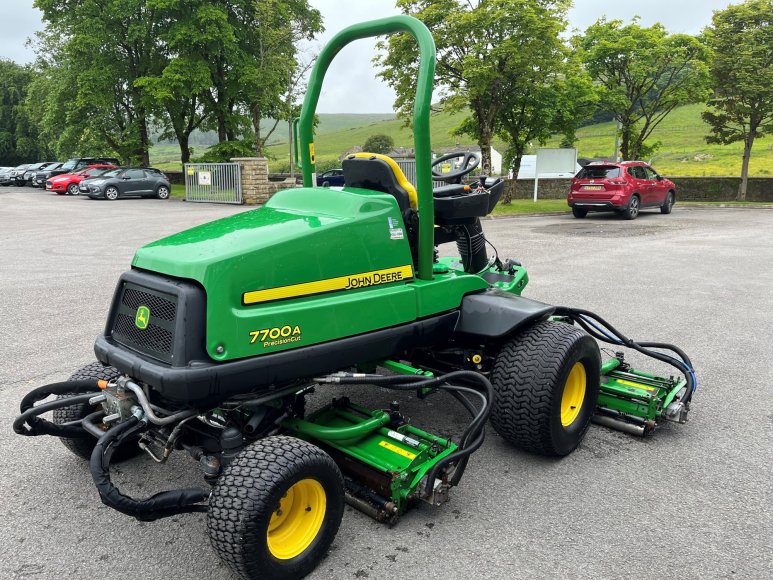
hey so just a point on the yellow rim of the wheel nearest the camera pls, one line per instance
(297, 520)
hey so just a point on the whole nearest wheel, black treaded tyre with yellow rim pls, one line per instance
(276, 509)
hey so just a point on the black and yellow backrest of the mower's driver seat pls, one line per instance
(380, 173)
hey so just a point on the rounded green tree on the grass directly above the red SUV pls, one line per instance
(643, 74)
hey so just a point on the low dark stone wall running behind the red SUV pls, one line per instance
(687, 188)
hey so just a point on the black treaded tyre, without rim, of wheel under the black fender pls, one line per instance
(529, 376)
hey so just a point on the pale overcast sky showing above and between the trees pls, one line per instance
(350, 86)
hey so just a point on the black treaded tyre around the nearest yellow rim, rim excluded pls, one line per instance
(248, 492)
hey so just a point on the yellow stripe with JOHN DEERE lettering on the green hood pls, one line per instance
(385, 276)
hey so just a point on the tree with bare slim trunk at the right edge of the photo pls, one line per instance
(741, 108)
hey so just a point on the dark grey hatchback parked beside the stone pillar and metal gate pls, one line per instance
(125, 182)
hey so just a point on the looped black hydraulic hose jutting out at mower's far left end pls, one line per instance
(29, 423)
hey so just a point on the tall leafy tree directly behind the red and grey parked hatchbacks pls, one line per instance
(107, 46)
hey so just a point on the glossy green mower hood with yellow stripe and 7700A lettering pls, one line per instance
(311, 265)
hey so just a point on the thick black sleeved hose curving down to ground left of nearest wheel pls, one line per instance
(160, 505)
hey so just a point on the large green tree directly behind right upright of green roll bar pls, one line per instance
(482, 47)
